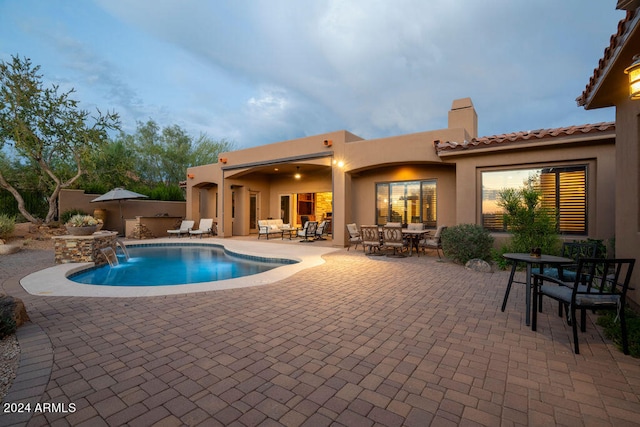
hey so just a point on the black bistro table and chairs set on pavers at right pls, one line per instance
(578, 280)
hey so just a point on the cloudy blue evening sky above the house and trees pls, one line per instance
(255, 72)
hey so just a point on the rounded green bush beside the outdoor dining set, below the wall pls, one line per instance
(467, 241)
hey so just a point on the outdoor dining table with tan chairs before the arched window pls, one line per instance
(394, 240)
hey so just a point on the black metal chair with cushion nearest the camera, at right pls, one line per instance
(597, 286)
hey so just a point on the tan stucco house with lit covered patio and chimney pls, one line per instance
(442, 177)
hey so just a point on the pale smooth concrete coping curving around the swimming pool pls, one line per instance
(53, 281)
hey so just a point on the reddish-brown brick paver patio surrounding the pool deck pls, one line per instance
(357, 341)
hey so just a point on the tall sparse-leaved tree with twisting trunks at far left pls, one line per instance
(47, 131)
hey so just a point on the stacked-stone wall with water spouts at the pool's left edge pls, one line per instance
(70, 249)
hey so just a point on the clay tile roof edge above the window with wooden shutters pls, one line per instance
(539, 135)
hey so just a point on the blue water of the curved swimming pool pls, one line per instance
(174, 265)
